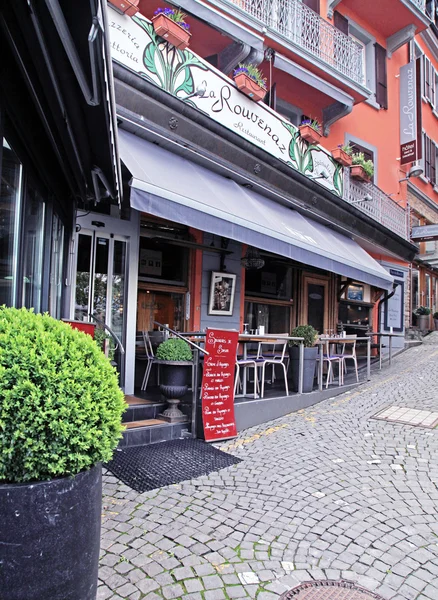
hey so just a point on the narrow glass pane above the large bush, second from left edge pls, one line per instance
(33, 248)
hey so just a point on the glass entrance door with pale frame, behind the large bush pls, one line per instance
(101, 283)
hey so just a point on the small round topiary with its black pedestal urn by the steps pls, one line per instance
(174, 357)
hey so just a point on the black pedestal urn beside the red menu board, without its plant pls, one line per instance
(174, 377)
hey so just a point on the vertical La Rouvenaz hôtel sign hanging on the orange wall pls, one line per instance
(410, 112)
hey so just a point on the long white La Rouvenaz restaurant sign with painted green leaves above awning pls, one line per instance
(195, 82)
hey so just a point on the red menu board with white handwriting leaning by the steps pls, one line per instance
(218, 384)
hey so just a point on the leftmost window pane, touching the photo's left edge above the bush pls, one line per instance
(10, 193)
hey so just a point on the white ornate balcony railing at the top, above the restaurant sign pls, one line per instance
(305, 28)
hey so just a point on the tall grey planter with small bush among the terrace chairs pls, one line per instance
(310, 336)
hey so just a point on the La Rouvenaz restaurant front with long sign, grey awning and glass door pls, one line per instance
(231, 219)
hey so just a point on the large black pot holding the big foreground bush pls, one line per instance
(50, 538)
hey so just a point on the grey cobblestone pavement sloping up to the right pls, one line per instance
(323, 493)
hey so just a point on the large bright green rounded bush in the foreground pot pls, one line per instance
(60, 403)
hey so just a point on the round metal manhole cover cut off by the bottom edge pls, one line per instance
(329, 590)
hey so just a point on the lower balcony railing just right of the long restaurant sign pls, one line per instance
(381, 207)
